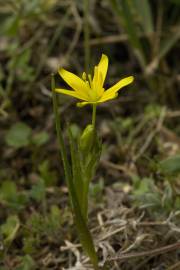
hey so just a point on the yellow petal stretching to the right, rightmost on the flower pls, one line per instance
(112, 90)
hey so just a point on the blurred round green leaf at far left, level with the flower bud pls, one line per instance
(18, 135)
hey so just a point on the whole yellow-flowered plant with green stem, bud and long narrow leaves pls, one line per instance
(86, 150)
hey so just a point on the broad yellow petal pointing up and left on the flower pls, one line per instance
(75, 82)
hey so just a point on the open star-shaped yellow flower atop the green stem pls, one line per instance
(92, 90)
